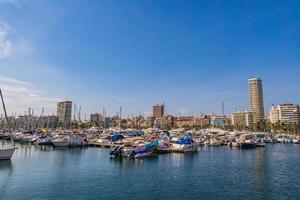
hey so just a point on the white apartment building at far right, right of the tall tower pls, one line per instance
(285, 113)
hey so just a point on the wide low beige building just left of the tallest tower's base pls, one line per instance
(243, 119)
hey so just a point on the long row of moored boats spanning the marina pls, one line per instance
(135, 143)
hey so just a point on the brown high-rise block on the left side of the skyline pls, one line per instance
(64, 113)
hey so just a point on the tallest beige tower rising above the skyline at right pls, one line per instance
(256, 99)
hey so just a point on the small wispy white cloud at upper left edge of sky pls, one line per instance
(5, 44)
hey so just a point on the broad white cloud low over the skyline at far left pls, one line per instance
(20, 95)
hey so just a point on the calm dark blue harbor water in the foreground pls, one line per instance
(213, 173)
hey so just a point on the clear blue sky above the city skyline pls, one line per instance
(192, 55)
